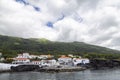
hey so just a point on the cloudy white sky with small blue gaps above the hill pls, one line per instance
(92, 21)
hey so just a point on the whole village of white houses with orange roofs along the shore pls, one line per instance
(45, 61)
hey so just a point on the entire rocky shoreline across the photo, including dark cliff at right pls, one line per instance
(94, 64)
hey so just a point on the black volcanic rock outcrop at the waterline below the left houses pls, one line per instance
(25, 68)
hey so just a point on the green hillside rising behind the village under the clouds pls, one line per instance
(11, 46)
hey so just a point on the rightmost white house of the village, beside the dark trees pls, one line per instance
(77, 61)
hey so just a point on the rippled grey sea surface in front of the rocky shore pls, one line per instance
(108, 74)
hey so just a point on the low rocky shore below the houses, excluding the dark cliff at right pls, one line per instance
(36, 68)
